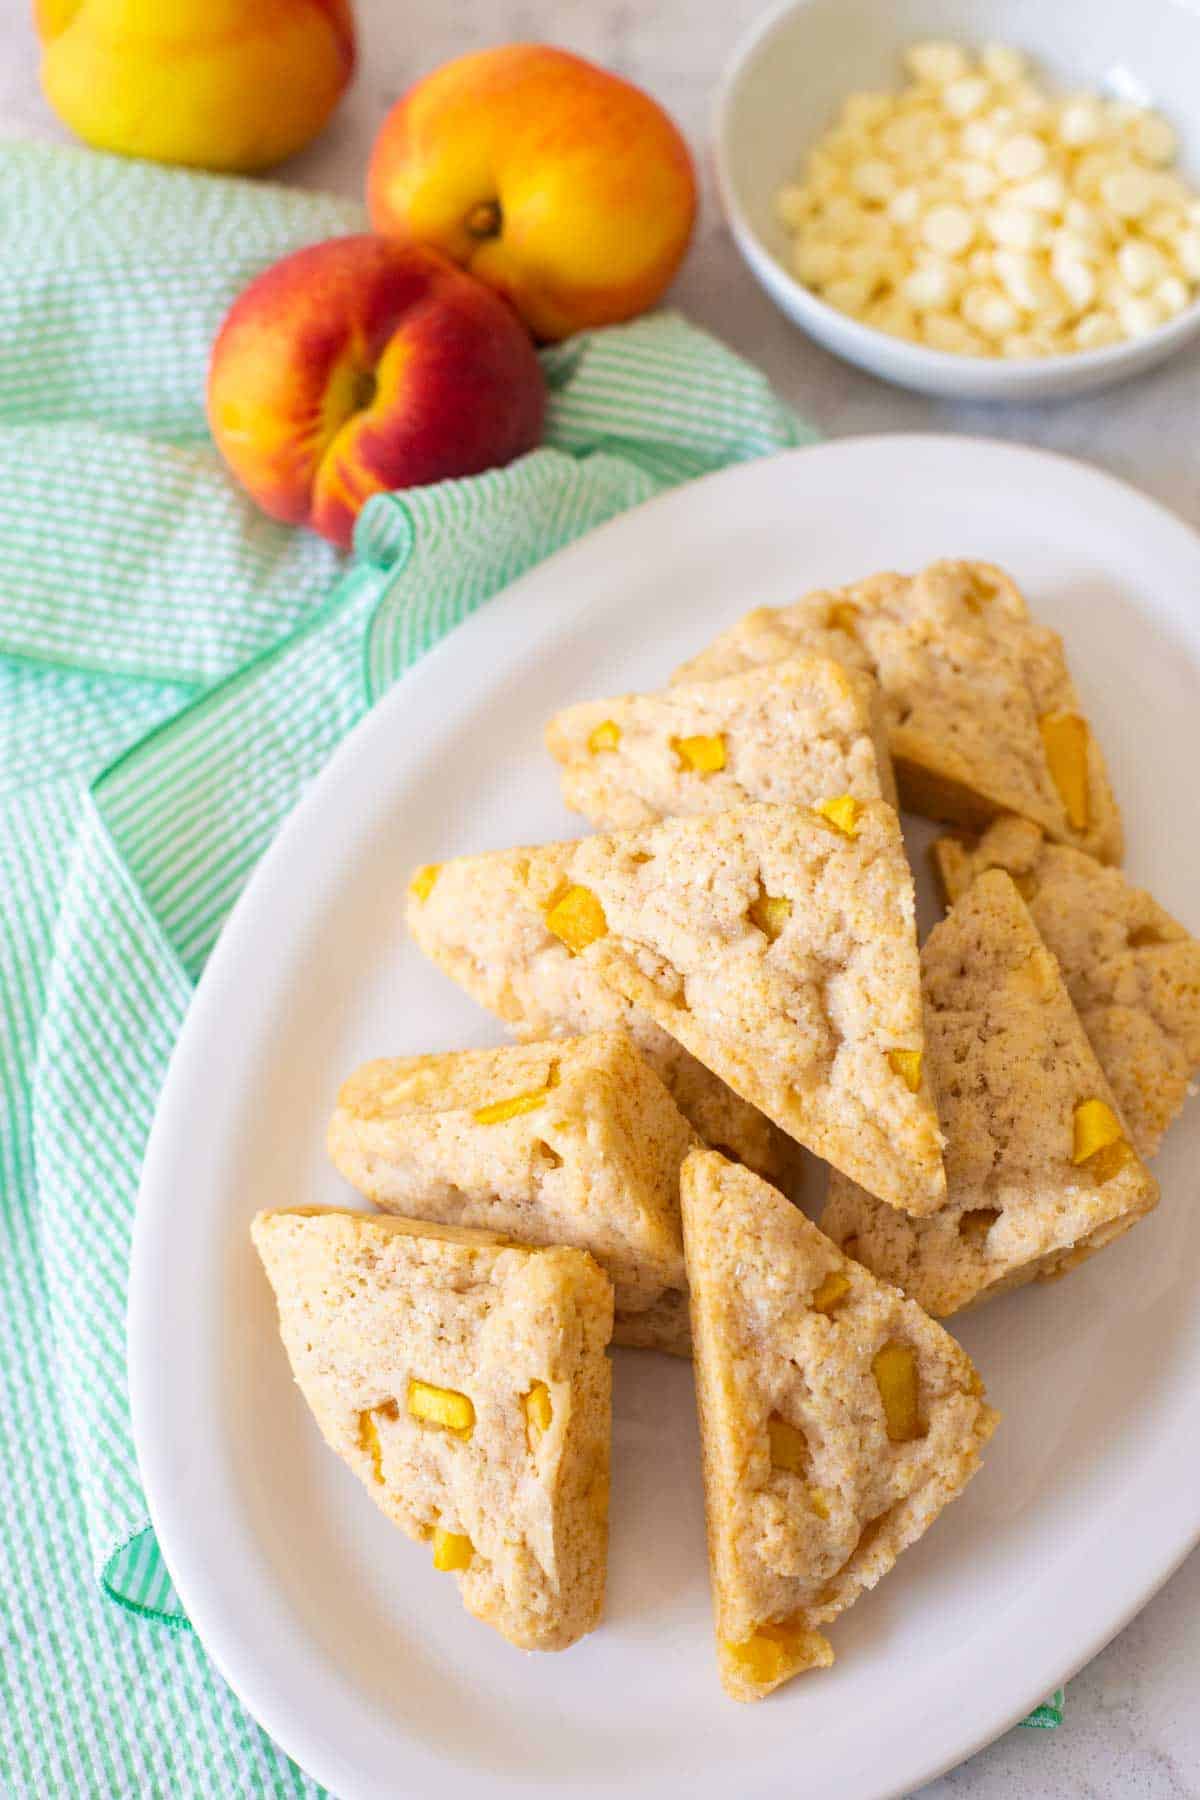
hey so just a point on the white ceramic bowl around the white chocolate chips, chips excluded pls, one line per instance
(791, 75)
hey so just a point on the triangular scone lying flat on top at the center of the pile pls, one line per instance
(778, 946)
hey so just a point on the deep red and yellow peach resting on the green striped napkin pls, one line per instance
(359, 366)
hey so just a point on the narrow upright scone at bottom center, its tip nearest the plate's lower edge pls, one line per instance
(836, 1423)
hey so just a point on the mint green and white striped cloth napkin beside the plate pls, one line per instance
(174, 670)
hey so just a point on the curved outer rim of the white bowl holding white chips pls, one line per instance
(938, 364)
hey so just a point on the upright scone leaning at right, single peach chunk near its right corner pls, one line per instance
(1039, 1169)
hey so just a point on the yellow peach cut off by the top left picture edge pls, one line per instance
(213, 84)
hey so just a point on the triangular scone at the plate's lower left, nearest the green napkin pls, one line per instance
(467, 1385)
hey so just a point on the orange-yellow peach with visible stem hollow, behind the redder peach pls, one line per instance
(555, 183)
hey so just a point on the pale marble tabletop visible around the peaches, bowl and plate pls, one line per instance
(1133, 1720)
